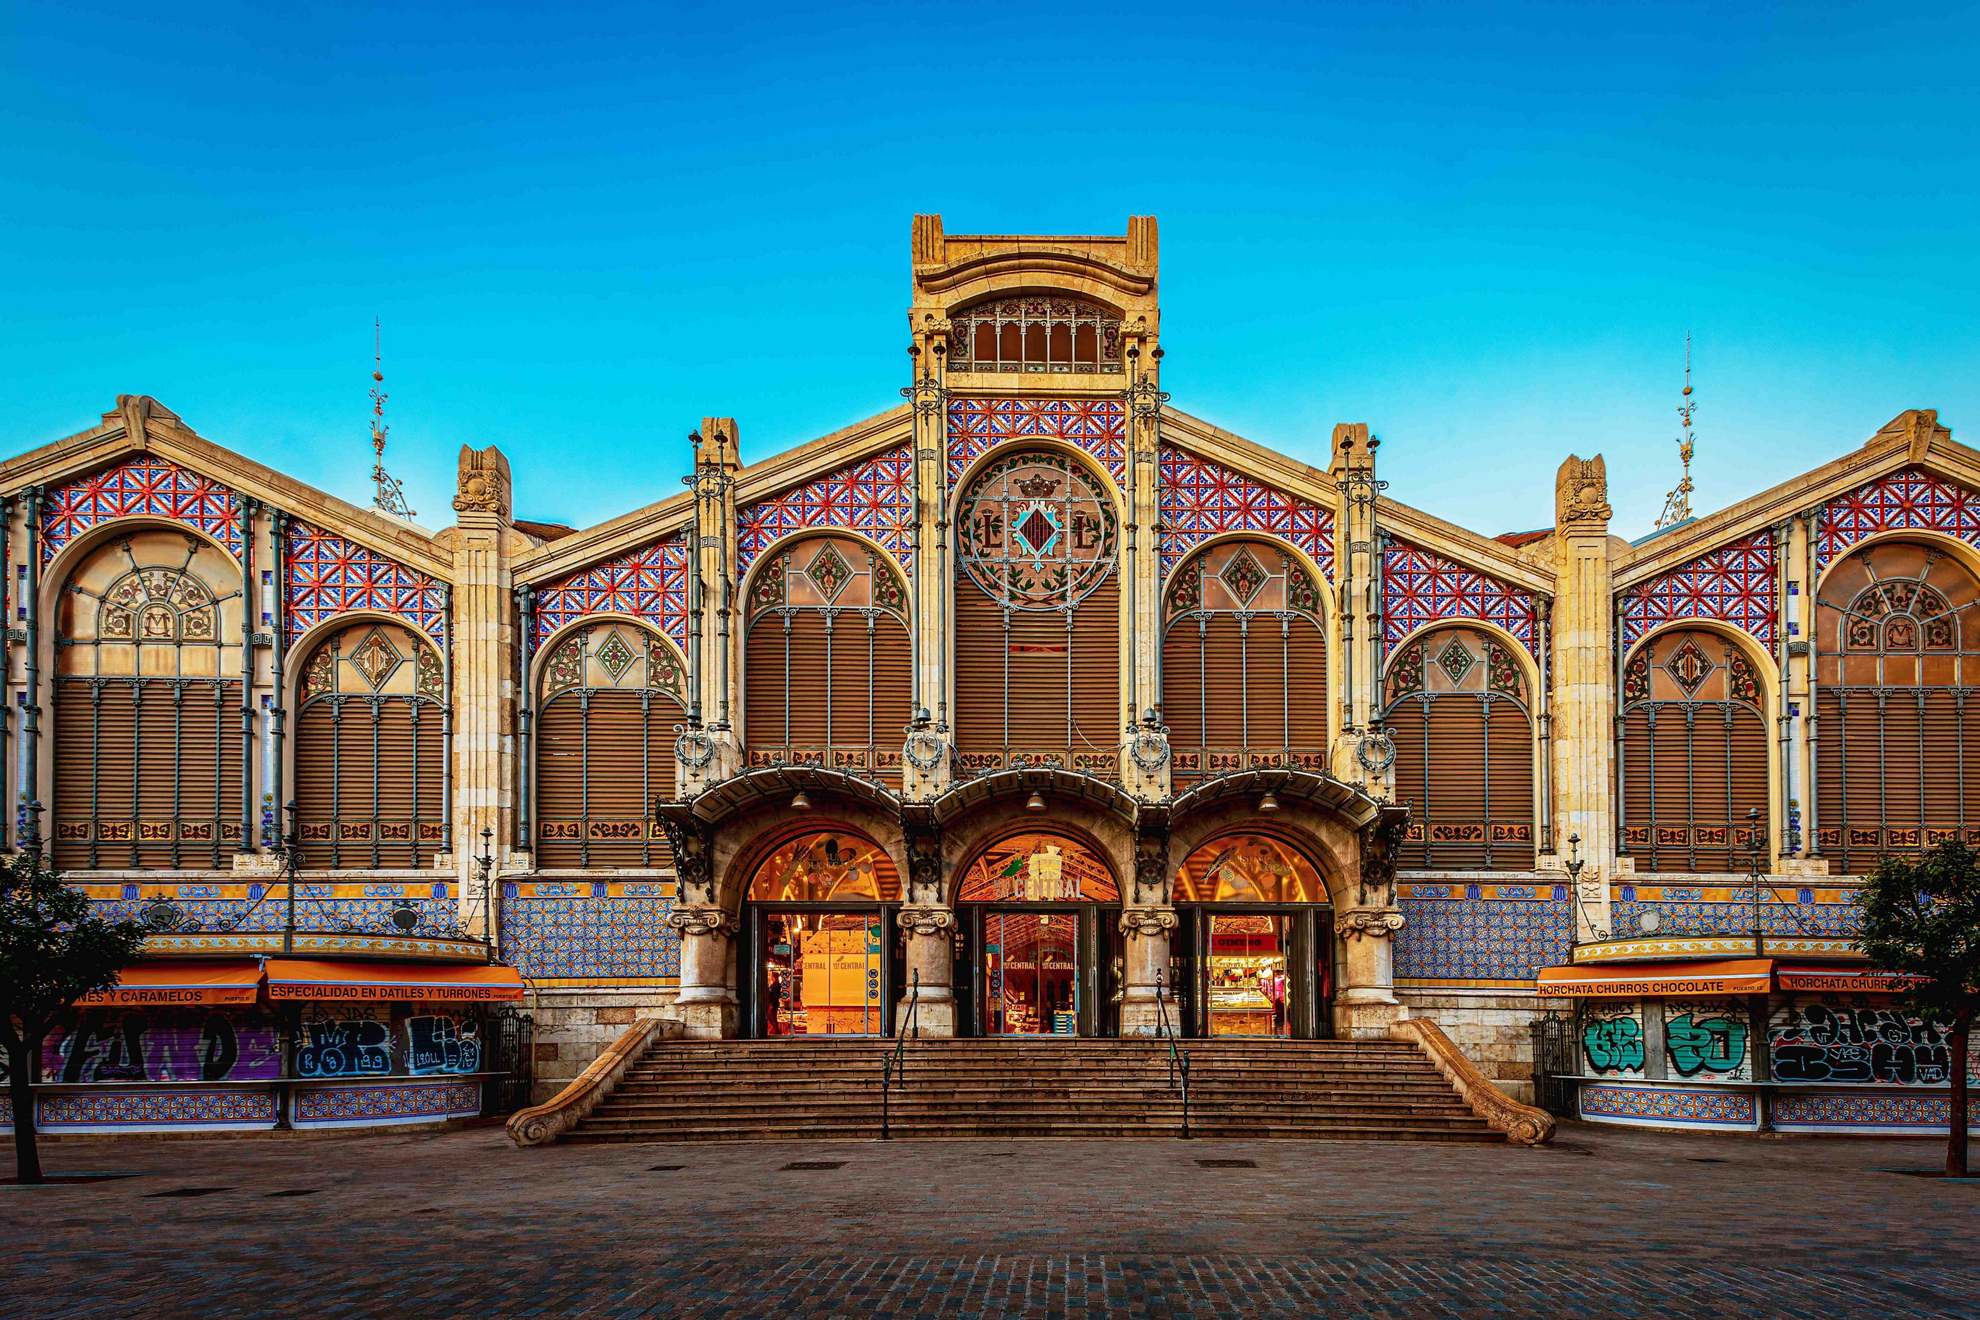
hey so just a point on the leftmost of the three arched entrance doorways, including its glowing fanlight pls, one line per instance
(821, 943)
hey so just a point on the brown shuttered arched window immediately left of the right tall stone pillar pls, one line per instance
(1458, 709)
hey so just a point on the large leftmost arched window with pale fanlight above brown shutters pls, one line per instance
(148, 706)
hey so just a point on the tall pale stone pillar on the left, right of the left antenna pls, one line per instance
(484, 674)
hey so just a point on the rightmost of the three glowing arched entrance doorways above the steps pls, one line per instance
(1254, 941)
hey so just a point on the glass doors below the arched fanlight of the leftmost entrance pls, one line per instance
(823, 975)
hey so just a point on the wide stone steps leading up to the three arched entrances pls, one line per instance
(831, 1089)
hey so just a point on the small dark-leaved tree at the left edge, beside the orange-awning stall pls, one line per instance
(52, 953)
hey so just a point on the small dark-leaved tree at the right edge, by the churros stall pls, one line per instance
(1922, 917)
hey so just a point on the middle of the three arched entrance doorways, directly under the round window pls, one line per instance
(1039, 949)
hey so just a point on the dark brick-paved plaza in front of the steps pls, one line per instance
(462, 1224)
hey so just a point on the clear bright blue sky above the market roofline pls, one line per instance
(1484, 231)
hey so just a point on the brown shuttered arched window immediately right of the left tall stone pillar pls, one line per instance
(605, 747)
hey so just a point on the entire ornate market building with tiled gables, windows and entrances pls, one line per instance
(1033, 700)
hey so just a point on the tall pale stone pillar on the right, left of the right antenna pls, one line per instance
(1585, 686)
